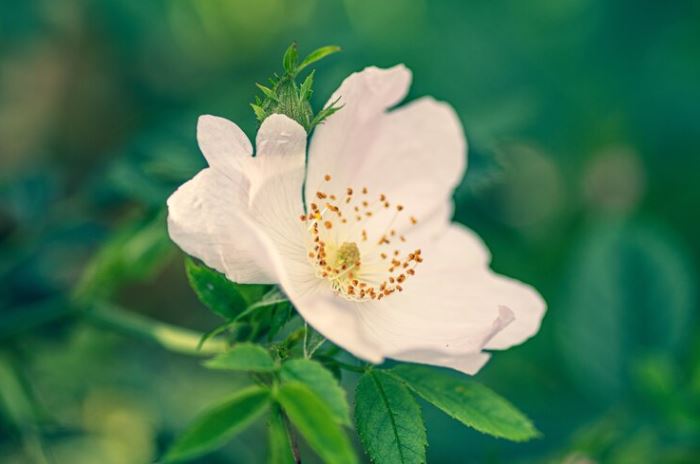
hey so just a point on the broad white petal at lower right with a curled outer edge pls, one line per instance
(453, 307)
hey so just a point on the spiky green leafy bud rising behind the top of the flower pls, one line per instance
(286, 97)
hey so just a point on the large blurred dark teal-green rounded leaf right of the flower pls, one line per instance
(629, 292)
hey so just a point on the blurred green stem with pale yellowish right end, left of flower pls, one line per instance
(170, 337)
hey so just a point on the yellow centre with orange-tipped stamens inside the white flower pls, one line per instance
(356, 241)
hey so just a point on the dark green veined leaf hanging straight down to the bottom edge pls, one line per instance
(389, 420)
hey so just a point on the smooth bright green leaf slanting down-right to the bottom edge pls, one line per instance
(316, 423)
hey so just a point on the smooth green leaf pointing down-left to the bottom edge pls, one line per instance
(218, 425)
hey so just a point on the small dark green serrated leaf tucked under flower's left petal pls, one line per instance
(214, 290)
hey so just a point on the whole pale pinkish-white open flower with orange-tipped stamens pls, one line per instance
(372, 262)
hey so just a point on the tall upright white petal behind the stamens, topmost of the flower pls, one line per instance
(415, 154)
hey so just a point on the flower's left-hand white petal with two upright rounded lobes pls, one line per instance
(204, 213)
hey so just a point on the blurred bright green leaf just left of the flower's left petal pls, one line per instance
(137, 252)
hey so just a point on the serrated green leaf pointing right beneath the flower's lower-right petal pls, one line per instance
(467, 401)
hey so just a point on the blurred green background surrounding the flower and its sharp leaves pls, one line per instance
(583, 118)
